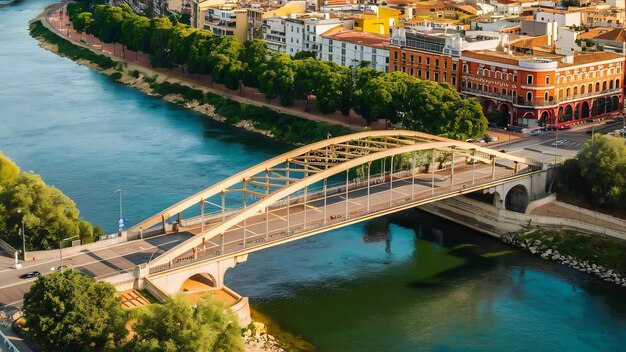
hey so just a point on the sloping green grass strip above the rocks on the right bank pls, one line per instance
(605, 251)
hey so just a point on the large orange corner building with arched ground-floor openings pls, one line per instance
(544, 89)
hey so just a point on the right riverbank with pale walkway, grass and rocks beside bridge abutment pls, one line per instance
(579, 242)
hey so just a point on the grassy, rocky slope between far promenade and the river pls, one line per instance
(252, 117)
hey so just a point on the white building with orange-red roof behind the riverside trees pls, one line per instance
(350, 48)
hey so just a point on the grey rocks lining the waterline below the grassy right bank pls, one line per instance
(547, 249)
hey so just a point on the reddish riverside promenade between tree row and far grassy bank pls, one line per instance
(58, 21)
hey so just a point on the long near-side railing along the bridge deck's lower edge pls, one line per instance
(360, 212)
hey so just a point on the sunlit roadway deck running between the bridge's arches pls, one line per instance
(262, 229)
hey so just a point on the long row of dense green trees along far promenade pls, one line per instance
(420, 105)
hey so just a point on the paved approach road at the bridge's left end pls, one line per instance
(105, 261)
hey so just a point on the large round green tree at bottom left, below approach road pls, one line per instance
(69, 311)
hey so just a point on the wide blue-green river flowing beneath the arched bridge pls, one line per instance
(401, 283)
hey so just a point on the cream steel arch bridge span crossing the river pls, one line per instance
(325, 185)
